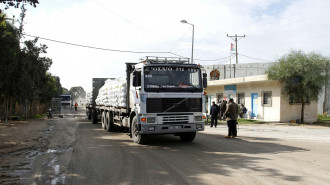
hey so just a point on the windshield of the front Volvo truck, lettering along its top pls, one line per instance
(172, 79)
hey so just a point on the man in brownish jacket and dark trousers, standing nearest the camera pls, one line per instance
(232, 114)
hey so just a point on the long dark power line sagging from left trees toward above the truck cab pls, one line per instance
(92, 47)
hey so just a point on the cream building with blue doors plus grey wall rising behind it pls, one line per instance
(260, 96)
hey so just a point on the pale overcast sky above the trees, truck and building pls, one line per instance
(272, 28)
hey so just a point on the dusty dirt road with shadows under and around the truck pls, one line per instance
(79, 152)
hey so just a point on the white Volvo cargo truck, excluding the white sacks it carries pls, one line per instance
(163, 96)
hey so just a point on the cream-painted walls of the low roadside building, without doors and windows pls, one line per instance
(280, 109)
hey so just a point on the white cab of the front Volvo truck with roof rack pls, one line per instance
(166, 97)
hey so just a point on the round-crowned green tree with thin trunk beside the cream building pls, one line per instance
(302, 76)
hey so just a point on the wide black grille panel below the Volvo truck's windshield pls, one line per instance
(159, 105)
